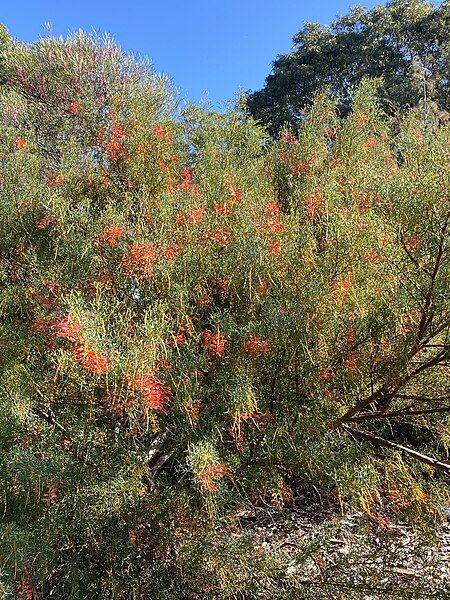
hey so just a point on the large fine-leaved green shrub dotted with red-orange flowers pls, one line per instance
(192, 315)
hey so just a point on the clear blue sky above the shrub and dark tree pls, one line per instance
(209, 48)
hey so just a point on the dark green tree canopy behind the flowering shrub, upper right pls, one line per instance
(406, 43)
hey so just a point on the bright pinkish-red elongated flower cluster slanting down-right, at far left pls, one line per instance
(85, 353)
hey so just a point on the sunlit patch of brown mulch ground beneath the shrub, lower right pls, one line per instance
(358, 556)
